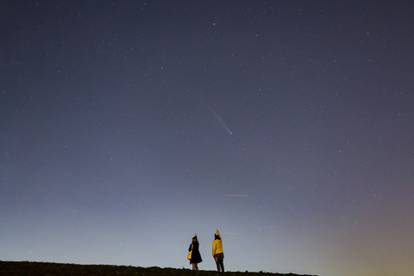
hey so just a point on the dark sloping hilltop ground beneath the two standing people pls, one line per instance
(57, 269)
